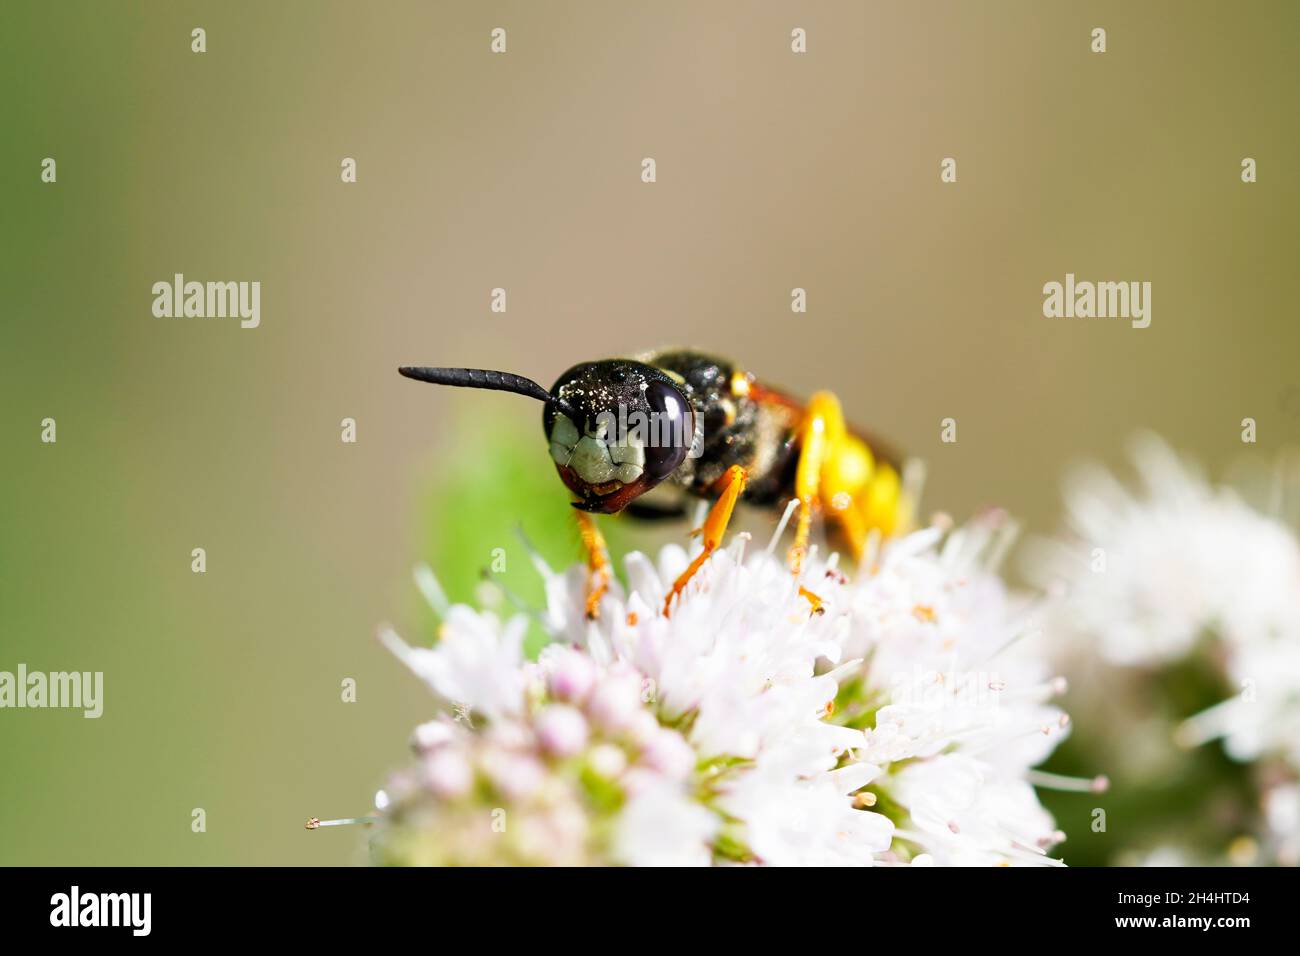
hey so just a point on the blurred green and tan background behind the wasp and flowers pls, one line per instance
(523, 171)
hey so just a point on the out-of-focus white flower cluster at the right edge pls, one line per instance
(1182, 568)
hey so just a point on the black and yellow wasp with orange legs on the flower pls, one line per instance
(690, 426)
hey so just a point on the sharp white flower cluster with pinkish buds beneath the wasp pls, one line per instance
(898, 724)
